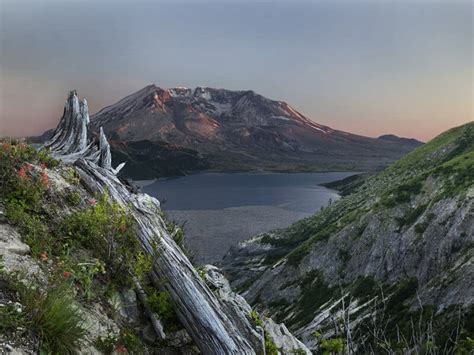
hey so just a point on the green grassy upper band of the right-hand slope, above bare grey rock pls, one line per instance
(449, 158)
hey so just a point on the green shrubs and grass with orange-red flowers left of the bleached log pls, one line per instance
(87, 247)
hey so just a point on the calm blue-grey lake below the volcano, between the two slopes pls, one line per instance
(220, 210)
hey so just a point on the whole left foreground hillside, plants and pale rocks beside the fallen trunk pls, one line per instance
(69, 261)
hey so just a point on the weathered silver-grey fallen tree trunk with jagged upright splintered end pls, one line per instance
(213, 330)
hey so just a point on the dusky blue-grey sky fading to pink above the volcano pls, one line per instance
(371, 68)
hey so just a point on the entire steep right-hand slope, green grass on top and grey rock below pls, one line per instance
(398, 249)
